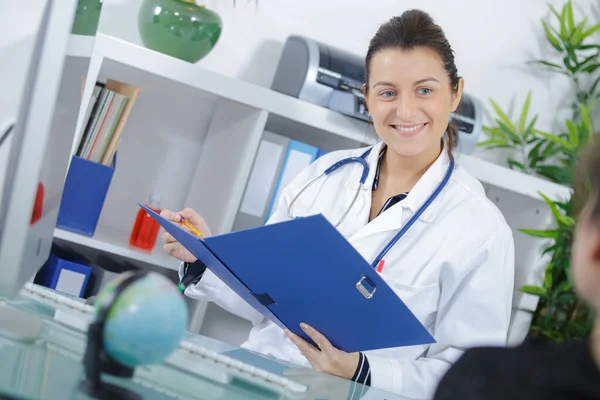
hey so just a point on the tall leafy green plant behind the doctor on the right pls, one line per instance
(559, 316)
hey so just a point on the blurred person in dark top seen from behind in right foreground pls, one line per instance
(537, 370)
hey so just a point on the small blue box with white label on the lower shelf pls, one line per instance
(65, 274)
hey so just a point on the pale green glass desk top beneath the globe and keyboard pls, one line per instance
(50, 367)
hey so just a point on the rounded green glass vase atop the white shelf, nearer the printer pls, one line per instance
(179, 28)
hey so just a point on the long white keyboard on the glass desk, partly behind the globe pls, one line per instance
(241, 370)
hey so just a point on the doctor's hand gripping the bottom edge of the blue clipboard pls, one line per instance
(326, 358)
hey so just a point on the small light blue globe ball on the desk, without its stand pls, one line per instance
(146, 322)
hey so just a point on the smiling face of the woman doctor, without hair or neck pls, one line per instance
(410, 99)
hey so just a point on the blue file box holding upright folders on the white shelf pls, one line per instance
(84, 193)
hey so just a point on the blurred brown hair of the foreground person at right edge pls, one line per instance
(587, 189)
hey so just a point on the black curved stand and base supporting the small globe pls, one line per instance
(96, 360)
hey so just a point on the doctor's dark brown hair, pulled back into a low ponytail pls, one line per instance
(416, 28)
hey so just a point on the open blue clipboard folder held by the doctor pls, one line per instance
(304, 270)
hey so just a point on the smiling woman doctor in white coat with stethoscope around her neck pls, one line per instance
(453, 267)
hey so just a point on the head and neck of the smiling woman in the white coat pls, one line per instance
(411, 88)
